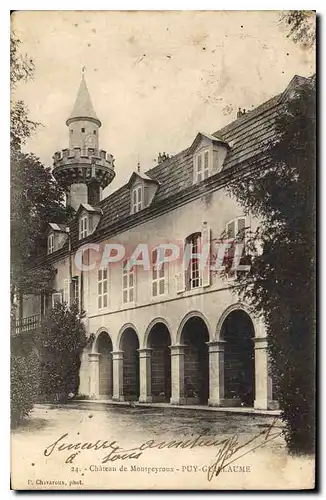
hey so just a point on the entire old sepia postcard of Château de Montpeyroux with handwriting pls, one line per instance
(163, 250)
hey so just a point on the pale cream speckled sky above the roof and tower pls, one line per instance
(155, 78)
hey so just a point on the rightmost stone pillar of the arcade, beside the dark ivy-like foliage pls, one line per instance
(263, 382)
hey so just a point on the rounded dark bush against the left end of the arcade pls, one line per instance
(61, 342)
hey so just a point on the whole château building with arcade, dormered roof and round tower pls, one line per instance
(175, 332)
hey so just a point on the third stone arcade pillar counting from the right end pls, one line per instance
(177, 374)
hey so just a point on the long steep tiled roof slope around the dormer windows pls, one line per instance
(248, 137)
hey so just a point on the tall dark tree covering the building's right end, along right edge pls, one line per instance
(280, 283)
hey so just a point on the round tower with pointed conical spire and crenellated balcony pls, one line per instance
(83, 169)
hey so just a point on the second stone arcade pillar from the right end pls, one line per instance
(216, 372)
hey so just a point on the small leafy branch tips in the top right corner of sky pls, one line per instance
(301, 24)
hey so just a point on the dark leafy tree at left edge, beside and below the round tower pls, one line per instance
(36, 200)
